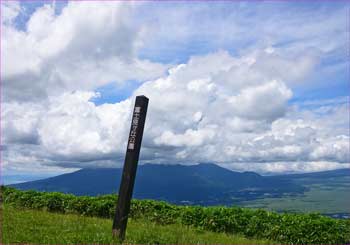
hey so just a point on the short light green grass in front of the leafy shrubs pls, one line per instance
(40, 227)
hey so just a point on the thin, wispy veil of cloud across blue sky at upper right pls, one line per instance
(319, 30)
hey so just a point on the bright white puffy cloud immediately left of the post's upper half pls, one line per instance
(76, 129)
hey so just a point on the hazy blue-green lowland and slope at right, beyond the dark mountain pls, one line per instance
(327, 192)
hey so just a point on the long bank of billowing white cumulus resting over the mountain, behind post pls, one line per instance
(194, 116)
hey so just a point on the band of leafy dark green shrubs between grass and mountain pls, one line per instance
(257, 224)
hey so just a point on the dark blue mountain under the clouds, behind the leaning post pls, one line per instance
(206, 184)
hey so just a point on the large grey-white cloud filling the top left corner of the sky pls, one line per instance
(85, 46)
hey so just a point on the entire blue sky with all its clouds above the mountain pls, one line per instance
(250, 86)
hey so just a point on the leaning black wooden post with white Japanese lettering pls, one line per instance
(130, 165)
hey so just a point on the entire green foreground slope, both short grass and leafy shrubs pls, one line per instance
(170, 222)
